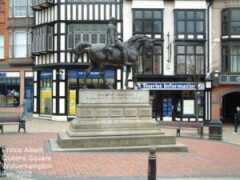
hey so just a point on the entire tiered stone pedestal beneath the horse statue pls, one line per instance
(114, 120)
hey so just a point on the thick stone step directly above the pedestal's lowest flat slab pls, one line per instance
(66, 141)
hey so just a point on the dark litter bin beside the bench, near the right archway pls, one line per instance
(215, 130)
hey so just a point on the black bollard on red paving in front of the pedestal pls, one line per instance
(152, 164)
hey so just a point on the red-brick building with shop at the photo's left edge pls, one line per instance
(15, 55)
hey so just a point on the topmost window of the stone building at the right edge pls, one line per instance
(231, 21)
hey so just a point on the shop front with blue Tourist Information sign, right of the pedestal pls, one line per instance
(177, 101)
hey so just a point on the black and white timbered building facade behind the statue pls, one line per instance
(175, 75)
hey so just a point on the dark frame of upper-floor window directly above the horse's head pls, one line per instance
(151, 20)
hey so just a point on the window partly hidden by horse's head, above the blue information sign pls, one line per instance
(152, 64)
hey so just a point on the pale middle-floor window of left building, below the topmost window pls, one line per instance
(20, 44)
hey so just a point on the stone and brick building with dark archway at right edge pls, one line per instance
(225, 58)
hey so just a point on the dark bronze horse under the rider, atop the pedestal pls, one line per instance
(100, 57)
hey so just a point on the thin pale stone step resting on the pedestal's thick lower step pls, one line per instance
(114, 133)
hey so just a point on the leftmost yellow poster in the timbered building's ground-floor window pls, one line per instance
(46, 101)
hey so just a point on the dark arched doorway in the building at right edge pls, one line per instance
(229, 104)
